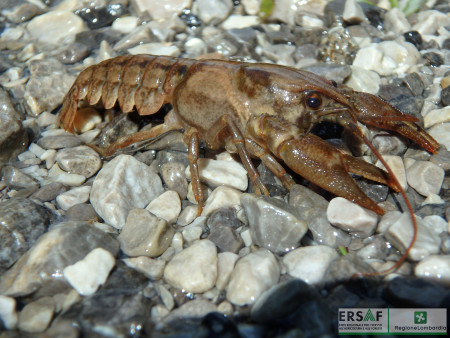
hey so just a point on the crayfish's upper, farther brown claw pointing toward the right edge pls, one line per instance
(374, 111)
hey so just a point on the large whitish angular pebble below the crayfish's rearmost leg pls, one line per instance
(123, 184)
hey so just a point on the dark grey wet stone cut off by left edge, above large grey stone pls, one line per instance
(24, 219)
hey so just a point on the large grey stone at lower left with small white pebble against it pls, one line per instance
(39, 269)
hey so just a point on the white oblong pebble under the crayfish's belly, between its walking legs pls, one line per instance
(220, 172)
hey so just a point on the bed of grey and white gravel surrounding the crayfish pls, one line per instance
(113, 247)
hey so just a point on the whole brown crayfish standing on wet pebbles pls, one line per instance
(256, 110)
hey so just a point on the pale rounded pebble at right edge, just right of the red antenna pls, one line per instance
(425, 177)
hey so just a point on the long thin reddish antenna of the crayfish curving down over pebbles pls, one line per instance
(408, 205)
